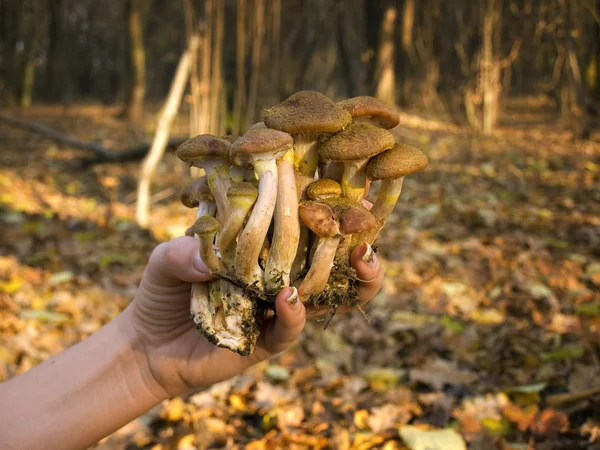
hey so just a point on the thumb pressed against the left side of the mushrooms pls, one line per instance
(176, 261)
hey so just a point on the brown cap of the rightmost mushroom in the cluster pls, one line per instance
(401, 160)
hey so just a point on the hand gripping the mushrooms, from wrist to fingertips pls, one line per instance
(178, 356)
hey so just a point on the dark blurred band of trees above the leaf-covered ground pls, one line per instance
(456, 59)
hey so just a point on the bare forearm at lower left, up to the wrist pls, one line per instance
(81, 395)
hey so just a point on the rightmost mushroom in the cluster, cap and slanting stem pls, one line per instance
(390, 167)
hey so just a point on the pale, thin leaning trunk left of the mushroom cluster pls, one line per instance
(161, 137)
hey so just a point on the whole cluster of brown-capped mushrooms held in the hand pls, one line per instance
(283, 205)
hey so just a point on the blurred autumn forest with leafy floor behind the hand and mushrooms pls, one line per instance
(486, 333)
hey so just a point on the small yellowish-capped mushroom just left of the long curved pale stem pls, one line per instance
(241, 197)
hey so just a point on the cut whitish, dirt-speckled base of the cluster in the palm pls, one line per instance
(225, 315)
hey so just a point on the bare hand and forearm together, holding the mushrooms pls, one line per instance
(149, 353)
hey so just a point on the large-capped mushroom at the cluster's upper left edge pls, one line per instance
(210, 153)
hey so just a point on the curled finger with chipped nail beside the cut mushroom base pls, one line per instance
(287, 326)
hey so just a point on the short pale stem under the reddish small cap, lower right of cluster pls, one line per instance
(317, 276)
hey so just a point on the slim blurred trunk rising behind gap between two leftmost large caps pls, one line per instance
(239, 117)
